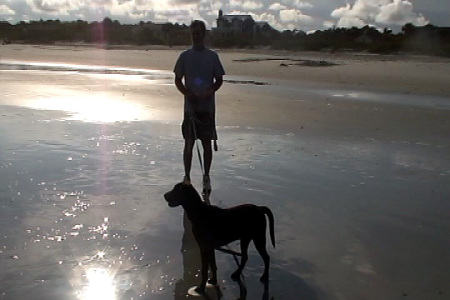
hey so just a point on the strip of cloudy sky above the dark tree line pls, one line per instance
(305, 15)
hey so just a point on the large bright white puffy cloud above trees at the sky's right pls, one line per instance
(384, 12)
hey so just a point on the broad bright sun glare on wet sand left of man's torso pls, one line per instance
(84, 92)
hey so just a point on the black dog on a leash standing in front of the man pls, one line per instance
(214, 227)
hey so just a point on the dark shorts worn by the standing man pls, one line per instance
(205, 126)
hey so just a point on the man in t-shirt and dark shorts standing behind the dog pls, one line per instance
(203, 76)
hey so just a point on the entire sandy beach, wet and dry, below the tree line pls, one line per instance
(353, 159)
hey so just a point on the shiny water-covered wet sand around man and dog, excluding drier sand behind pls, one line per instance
(82, 214)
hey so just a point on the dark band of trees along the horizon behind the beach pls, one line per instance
(428, 39)
